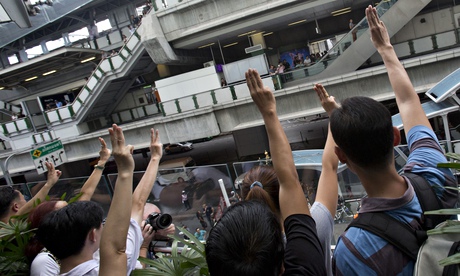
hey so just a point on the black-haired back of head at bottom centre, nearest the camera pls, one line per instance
(247, 240)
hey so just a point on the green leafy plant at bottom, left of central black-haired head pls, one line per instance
(190, 260)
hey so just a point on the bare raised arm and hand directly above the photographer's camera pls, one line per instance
(145, 186)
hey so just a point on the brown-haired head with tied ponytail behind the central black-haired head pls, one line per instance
(268, 193)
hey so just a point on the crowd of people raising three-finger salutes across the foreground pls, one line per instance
(271, 229)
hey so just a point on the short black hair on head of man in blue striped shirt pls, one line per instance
(363, 130)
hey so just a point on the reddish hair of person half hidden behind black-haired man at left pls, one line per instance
(35, 217)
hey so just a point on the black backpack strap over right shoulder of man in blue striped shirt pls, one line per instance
(427, 199)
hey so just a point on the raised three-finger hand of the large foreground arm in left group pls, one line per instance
(121, 153)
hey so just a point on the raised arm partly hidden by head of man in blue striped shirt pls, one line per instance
(328, 184)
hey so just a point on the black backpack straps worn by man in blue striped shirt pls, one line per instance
(400, 234)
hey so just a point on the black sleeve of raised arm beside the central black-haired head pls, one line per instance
(304, 254)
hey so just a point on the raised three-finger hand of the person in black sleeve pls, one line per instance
(261, 95)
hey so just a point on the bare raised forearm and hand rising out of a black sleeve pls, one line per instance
(291, 197)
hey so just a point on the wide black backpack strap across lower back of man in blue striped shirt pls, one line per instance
(395, 232)
